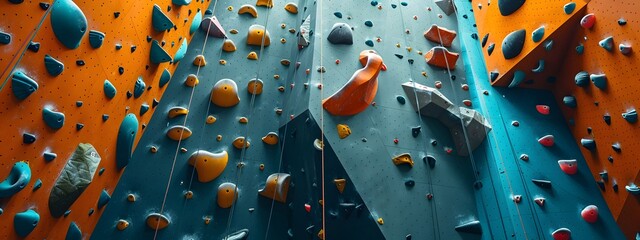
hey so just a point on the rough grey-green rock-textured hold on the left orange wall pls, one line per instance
(75, 177)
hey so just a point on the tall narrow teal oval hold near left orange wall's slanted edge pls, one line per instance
(126, 135)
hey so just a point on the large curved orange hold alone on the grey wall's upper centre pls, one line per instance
(358, 93)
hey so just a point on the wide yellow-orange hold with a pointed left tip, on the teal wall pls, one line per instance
(208, 165)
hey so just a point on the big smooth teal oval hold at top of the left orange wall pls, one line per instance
(68, 23)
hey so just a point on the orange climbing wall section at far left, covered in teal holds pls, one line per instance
(71, 73)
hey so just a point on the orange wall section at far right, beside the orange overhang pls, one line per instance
(598, 94)
